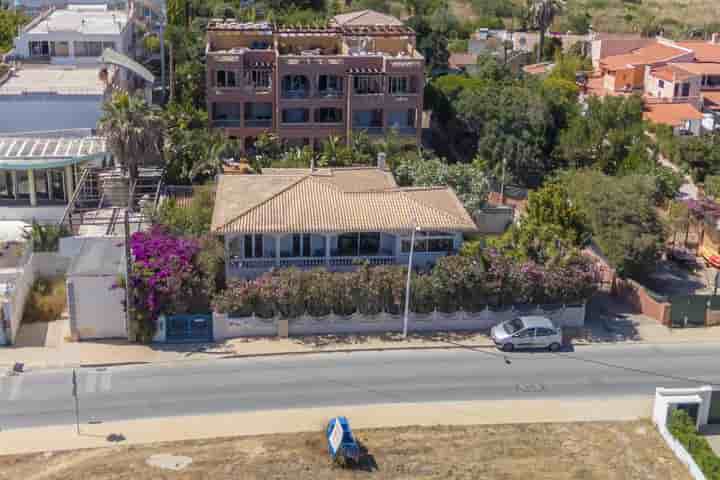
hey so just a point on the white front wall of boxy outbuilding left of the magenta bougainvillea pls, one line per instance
(96, 310)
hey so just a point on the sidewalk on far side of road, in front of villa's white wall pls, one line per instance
(626, 329)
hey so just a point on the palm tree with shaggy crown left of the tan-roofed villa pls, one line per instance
(133, 130)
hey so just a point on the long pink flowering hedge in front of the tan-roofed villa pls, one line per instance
(458, 282)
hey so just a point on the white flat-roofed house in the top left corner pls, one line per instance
(76, 35)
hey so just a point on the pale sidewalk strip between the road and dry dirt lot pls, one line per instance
(57, 438)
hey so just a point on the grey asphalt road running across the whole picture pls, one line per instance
(191, 388)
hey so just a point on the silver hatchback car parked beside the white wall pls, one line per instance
(527, 332)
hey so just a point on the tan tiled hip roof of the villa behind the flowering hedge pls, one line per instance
(313, 203)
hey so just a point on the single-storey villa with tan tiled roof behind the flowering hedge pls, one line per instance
(332, 218)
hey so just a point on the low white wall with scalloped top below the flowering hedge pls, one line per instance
(225, 326)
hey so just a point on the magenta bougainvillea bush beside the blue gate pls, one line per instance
(163, 278)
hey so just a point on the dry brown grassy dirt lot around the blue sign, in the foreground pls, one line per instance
(582, 451)
